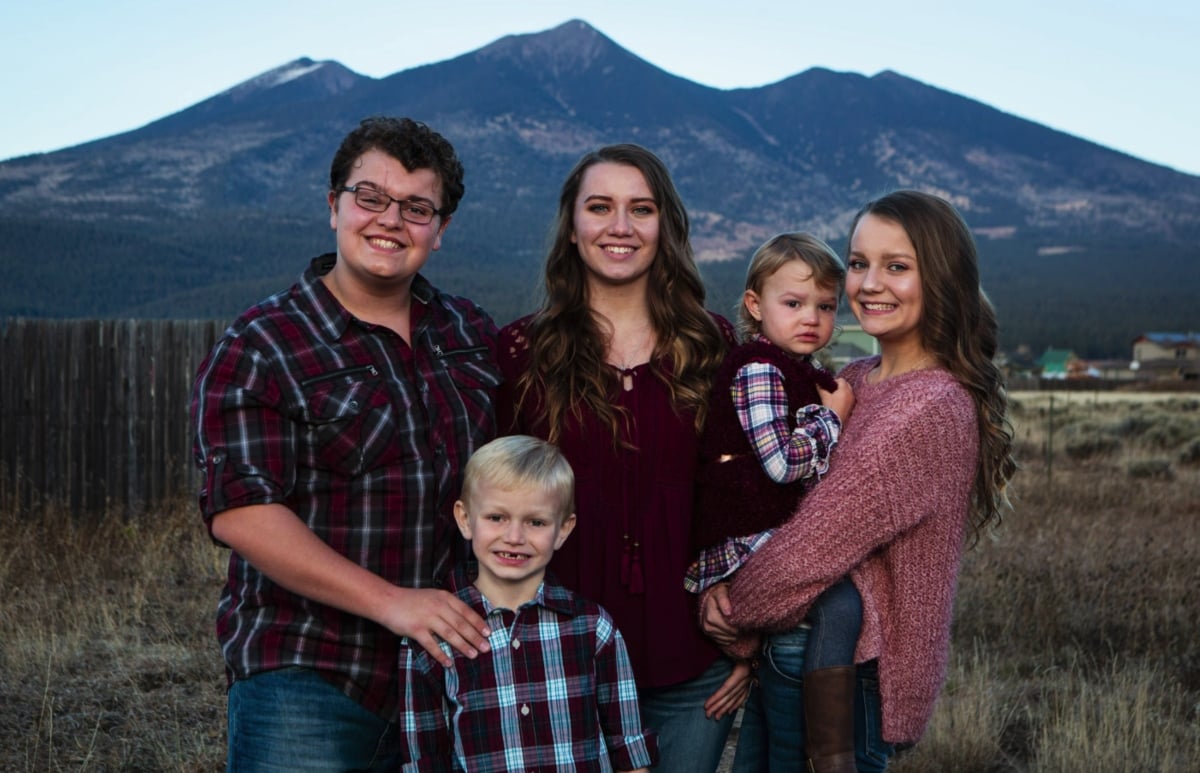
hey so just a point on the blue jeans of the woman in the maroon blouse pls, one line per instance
(689, 742)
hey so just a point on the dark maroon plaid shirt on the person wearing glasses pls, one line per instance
(362, 436)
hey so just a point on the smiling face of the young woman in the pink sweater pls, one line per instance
(884, 281)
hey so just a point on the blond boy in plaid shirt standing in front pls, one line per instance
(557, 690)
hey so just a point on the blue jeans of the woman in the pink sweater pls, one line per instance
(775, 711)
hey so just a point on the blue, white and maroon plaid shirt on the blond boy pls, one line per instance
(555, 693)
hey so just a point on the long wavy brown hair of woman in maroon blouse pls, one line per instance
(567, 341)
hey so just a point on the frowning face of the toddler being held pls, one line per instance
(793, 311)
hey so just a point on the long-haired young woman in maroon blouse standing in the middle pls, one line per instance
(616, 369)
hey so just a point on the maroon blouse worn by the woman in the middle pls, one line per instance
(632, 542)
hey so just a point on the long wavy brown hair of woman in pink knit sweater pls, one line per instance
(959, 328)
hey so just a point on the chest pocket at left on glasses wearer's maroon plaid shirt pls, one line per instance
(351, 421)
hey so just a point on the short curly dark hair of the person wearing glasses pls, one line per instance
(410, 142)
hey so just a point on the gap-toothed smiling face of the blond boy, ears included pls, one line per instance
(514, 534)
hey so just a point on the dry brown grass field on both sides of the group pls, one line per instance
(1077, 638)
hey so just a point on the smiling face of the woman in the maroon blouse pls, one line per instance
(616, 225)
